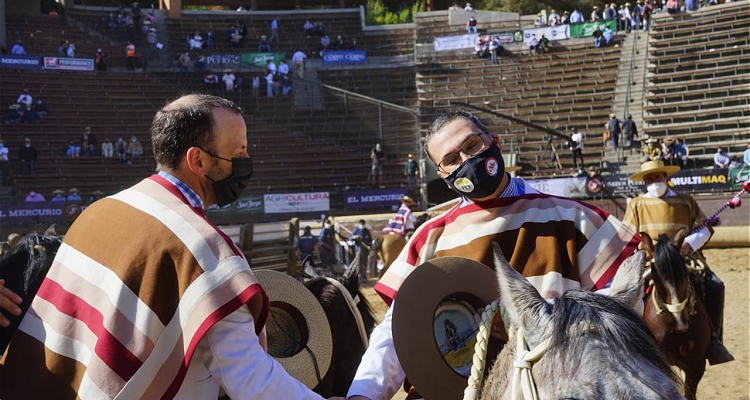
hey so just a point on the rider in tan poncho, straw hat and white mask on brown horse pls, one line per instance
(662, 210)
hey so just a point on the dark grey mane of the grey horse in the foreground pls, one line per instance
(618, 325)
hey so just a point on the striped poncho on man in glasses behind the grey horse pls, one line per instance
(556, 243)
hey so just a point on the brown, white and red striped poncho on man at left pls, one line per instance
(139, 280)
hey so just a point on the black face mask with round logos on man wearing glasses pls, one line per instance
(479, 176)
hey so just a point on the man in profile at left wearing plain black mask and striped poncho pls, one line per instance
(165, 304)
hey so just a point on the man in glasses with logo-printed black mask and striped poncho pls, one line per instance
(557, 243)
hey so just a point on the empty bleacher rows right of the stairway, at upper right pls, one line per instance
(699, 71)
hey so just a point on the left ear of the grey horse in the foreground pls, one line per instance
(525, 305)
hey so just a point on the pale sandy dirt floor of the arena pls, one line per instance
(730, 381)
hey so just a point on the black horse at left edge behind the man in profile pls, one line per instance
(23, 268)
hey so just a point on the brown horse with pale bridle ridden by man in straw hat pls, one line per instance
(675, 312)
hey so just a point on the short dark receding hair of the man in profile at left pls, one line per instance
(184, 123)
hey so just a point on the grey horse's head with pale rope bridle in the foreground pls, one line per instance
(585, 345)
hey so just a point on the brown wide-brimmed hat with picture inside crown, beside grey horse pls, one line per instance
(433, 321)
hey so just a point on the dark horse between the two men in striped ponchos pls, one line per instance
(351, 320)
